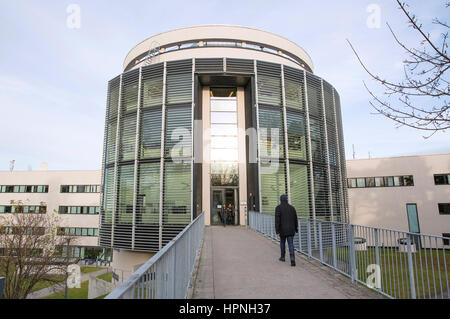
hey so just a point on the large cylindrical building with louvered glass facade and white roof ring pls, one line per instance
(212, 116)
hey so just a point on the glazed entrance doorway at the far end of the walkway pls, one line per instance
(222, 198)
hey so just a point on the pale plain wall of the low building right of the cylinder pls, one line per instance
(386, 206)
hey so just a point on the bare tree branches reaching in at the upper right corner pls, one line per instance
(421, 99)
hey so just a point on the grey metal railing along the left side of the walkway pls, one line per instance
(160, 276)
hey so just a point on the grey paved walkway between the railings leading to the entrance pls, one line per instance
(239, 263)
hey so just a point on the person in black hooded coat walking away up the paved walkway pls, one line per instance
(286, 226)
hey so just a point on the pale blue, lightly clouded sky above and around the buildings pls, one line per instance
(53, 77)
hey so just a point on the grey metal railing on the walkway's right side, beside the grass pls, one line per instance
(394, 263)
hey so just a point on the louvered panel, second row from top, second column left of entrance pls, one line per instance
(150, 136)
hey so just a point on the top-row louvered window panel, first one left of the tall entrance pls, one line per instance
(179, 82)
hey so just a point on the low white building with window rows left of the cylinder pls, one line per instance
(73, 196)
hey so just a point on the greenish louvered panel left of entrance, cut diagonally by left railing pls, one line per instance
(176, 199)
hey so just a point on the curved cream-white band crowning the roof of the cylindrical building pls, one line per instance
(215, 33)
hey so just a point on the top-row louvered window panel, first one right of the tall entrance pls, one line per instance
(269, 83)
